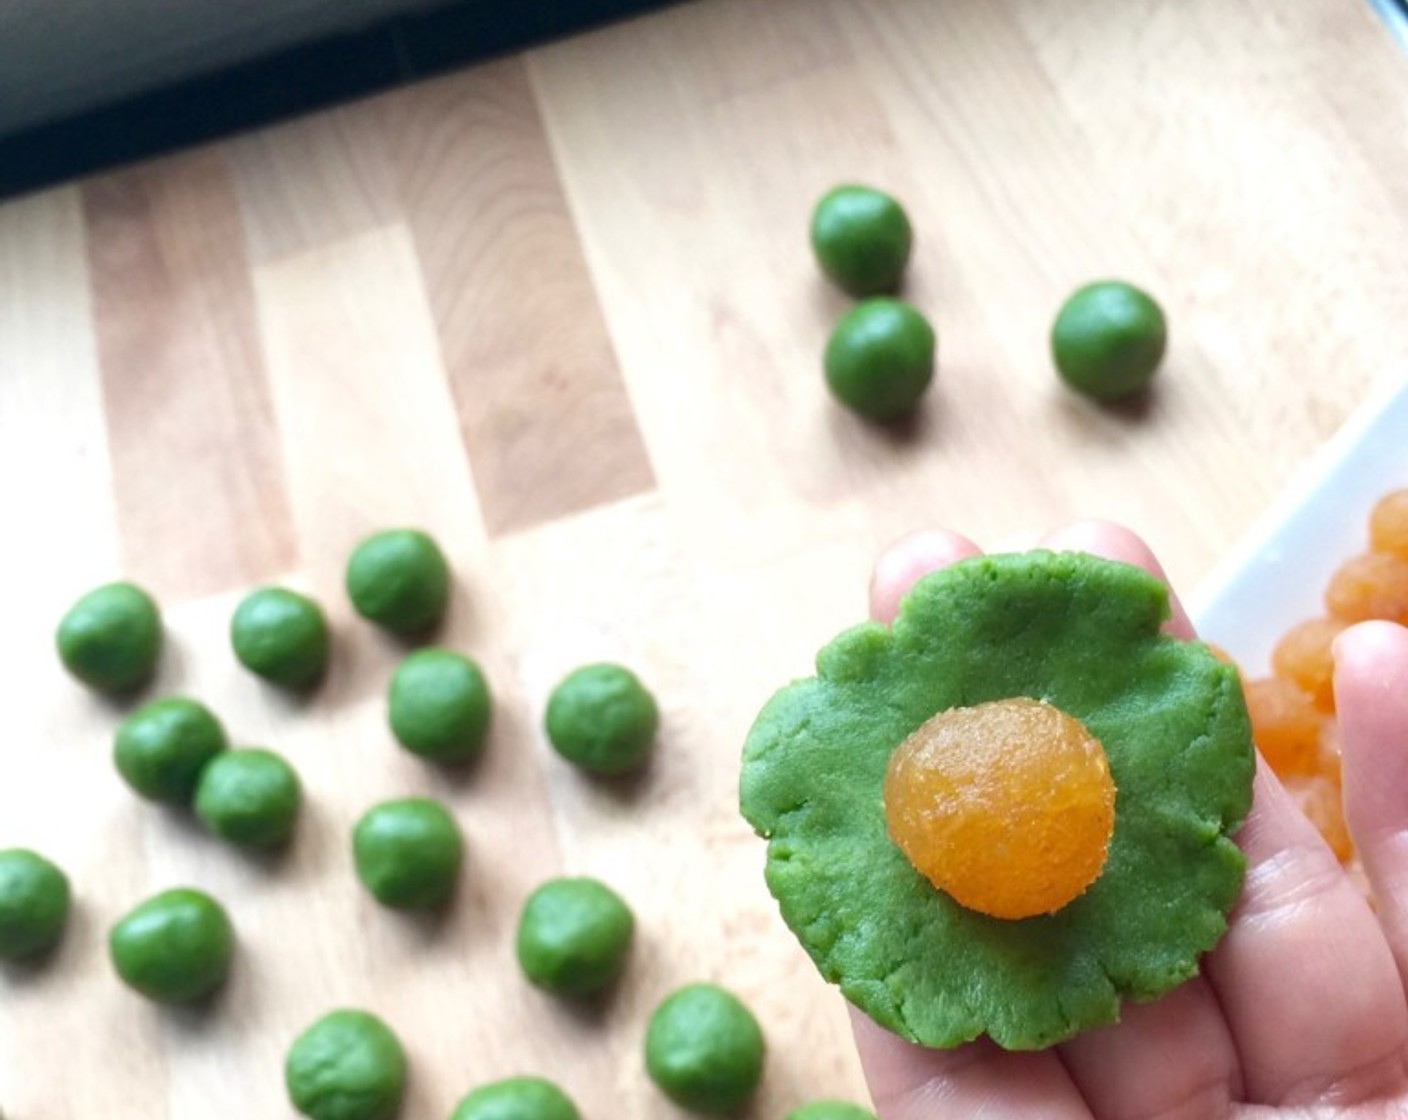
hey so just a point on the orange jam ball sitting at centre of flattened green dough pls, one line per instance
(1007, 807)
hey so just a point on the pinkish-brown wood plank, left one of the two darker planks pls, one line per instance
(195, 457)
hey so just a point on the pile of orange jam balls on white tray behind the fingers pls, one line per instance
(1293, 711)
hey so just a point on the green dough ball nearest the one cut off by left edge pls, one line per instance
(175, 947)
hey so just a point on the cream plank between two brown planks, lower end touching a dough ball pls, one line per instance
(365, 413)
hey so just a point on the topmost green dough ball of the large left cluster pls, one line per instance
(401, 581)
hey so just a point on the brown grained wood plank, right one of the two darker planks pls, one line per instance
(543, 408)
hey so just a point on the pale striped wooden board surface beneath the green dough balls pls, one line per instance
(560, 311)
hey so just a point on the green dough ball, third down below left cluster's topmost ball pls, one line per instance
(409, 853)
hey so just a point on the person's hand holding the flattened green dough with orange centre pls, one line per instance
(1302, 1009)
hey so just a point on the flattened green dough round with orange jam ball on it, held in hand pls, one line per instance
(958, 874)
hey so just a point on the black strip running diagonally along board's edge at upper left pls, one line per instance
(292, 82)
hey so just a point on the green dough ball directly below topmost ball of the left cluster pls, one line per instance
(439, 707)
